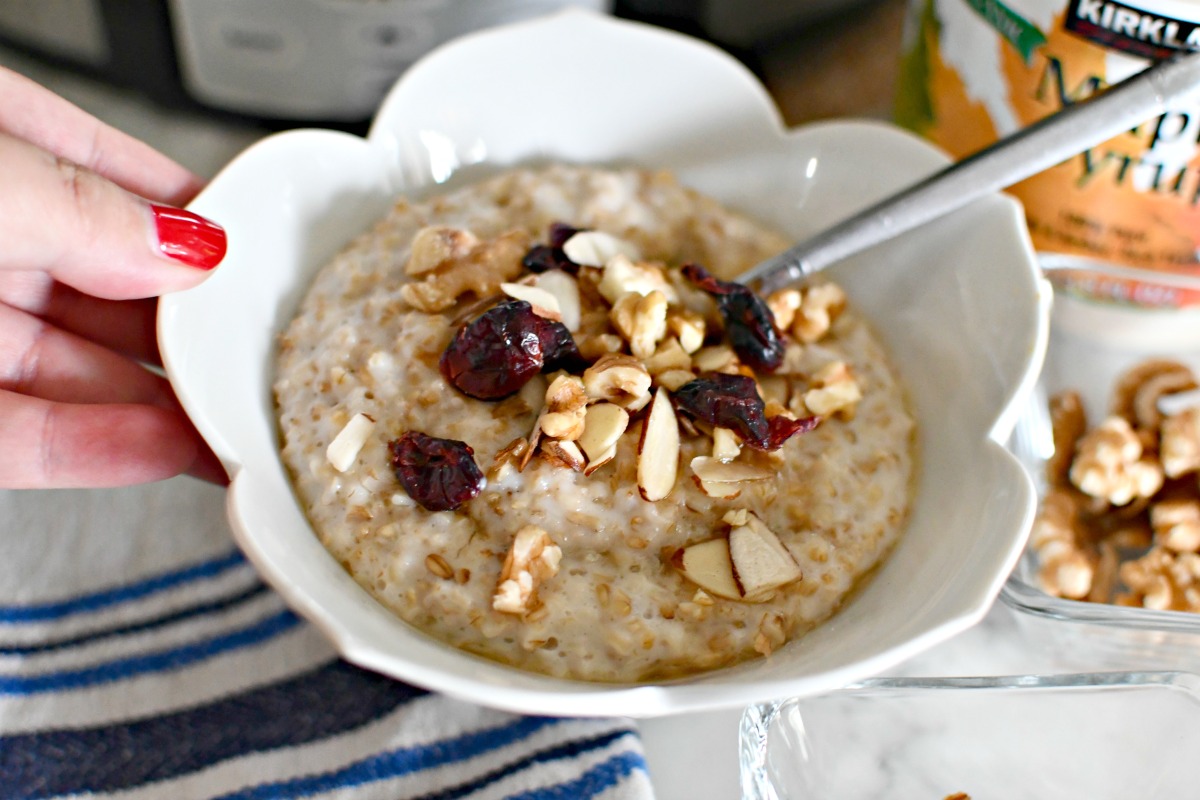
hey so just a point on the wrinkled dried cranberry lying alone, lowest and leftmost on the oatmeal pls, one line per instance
(440, 474)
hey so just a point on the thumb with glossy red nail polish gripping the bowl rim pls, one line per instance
(93, 236)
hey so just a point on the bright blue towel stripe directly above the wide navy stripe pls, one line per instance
(160, 661)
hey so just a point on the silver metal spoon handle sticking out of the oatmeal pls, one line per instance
(1013, 159)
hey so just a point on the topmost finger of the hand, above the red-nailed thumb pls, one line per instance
(38, 116)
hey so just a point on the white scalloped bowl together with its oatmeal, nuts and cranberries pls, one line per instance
(667, 494)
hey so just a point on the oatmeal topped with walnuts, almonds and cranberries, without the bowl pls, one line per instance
(532, 419)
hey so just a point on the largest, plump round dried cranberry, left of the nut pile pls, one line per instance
(495, 356)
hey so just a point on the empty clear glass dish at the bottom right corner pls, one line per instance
(1096, 736)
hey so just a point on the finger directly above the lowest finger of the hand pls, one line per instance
(40, 360)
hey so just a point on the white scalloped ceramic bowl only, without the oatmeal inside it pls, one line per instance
(961, 305)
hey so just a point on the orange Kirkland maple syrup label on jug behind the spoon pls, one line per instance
(975, 71)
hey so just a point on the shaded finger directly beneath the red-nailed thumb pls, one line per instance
(125, 327)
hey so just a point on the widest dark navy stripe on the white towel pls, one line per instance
(320, 705)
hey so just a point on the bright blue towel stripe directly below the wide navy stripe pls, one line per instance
(398, 763)
